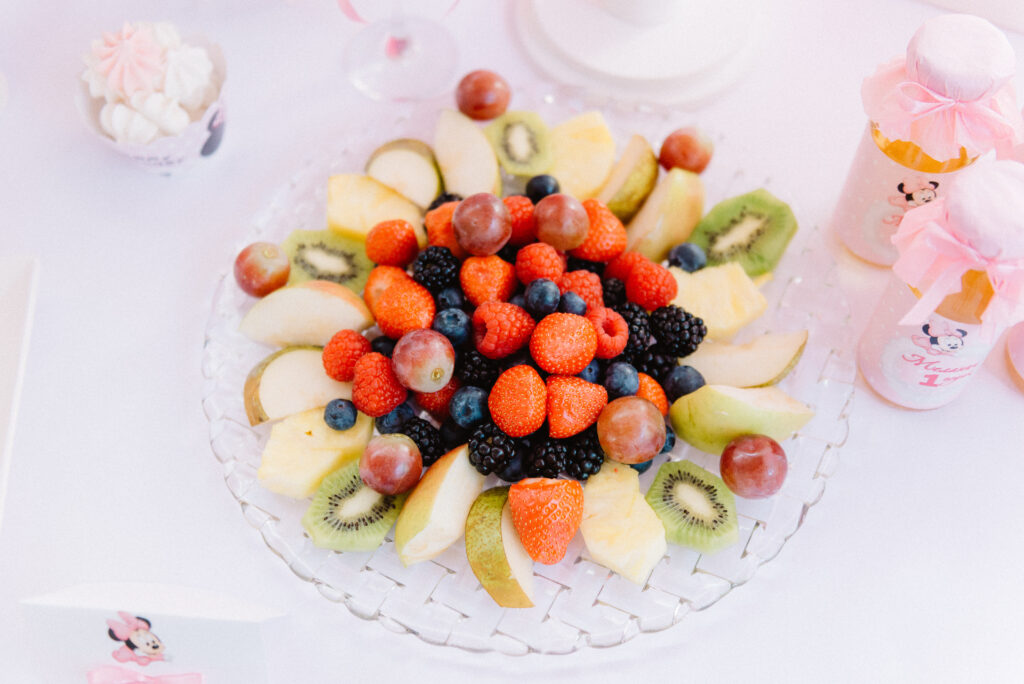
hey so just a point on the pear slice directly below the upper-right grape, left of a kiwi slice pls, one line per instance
(668, 218)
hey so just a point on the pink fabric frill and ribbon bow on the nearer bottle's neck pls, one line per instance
(933, 260)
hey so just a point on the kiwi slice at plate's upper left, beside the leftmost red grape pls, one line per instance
(325, 255)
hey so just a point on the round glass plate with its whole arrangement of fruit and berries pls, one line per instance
(511, 371)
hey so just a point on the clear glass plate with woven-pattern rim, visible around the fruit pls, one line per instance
(578, 603)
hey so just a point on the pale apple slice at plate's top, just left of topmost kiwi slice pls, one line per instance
(465, 157)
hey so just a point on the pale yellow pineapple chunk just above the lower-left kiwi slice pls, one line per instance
(303, 451)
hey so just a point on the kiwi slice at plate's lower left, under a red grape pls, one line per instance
(347, 516)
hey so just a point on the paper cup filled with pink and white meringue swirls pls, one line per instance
(155, 98)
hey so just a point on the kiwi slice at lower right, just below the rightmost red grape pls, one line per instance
(696, 507)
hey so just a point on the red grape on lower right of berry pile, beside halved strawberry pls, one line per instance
(631, 430)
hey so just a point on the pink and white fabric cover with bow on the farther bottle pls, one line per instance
(952, 91)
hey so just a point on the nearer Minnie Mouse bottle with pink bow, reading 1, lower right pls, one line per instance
(958, 284)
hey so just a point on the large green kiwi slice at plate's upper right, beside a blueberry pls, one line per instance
(752, 230)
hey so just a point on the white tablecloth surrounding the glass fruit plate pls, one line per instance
(909, 570)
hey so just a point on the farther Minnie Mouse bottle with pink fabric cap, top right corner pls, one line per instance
(931, 115)
